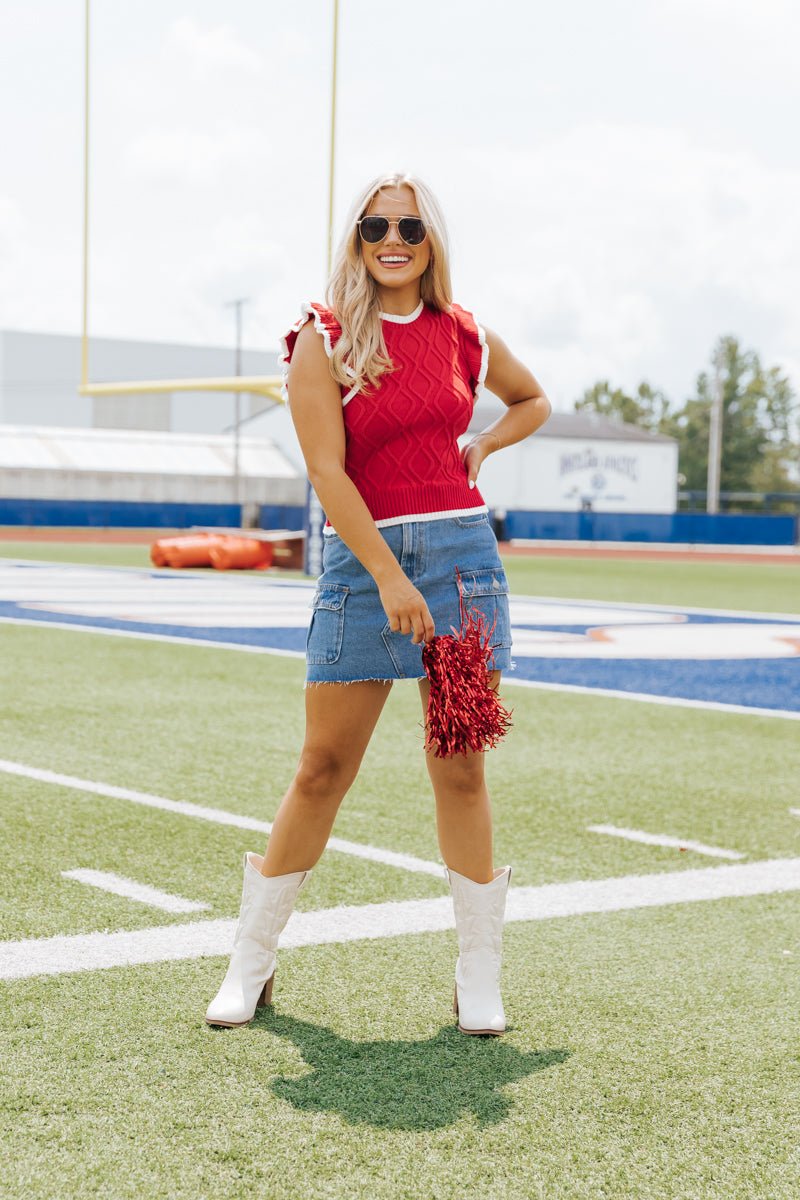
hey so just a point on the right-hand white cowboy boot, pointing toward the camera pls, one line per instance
(479, 910)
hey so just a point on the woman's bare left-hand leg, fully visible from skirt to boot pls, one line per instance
(340, 722)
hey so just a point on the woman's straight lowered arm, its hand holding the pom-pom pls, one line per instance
(316, 407)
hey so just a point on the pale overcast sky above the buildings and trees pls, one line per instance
(622, 181)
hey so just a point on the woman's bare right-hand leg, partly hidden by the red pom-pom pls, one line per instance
(464, 807)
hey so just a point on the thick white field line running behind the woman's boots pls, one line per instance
(202, 939)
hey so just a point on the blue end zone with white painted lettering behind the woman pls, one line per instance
(721, 658)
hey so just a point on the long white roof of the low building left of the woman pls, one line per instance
(137, 452)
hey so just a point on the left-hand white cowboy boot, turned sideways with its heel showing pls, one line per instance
(267, 904)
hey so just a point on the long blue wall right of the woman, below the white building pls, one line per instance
(721, 530)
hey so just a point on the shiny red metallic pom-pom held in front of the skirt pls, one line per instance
(465, 713)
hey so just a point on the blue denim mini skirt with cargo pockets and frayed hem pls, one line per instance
(350, 638)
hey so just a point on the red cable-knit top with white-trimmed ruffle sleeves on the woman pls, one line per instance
(401, 439)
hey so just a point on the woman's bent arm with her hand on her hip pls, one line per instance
(528, 407)
